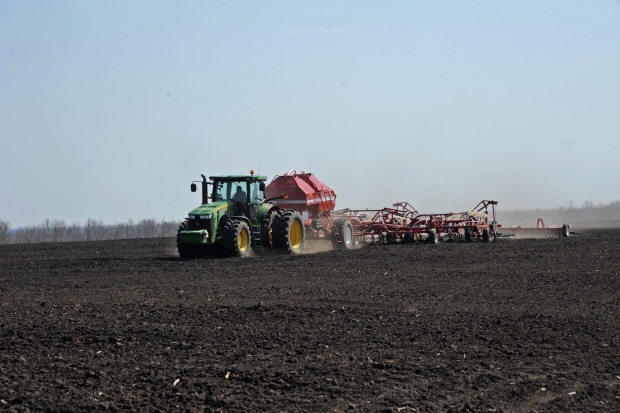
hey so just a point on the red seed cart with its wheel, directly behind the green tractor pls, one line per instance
(314, 200)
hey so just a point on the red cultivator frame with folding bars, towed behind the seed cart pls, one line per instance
(403, 223)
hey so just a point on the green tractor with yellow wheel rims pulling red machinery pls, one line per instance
(238, 220)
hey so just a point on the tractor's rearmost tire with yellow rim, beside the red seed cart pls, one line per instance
(287, 232)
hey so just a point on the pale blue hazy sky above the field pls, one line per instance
(110, 109)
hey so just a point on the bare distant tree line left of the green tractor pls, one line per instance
(93, 230)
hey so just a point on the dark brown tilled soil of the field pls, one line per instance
(513, 326)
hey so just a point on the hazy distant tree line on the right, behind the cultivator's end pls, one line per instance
(589, 211)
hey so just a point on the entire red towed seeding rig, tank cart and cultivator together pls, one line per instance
(401, 222)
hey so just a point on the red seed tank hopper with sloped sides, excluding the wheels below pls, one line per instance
(304, 191)
